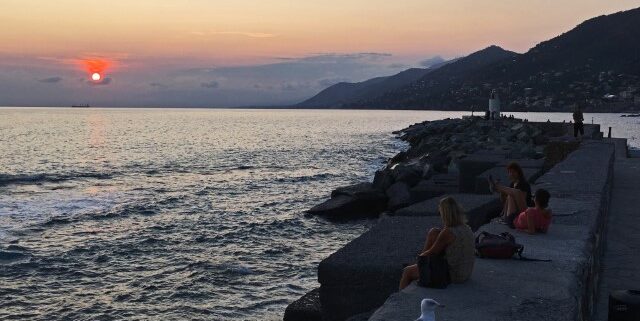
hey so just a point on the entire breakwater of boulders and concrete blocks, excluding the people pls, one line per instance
(359, 278)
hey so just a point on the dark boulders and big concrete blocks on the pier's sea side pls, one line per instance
(450, 156)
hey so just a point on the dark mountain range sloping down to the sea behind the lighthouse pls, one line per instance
(598, 58)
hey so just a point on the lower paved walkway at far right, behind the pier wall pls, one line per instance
(621, 259)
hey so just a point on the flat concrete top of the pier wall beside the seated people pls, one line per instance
(563, 289)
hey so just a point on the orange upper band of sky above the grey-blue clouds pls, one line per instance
(253, 31)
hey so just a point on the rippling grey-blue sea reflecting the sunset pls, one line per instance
(184, 214)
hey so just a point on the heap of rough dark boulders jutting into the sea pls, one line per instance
(431, 165)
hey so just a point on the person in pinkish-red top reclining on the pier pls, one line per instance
(538, 218)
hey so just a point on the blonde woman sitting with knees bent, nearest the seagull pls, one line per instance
(454, 240)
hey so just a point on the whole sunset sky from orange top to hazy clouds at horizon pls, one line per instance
(240, 52)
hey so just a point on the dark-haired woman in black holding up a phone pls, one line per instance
(515, 198)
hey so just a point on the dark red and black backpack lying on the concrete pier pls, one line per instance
(500, 246)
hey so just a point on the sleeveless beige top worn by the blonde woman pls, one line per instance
(460, 254)
